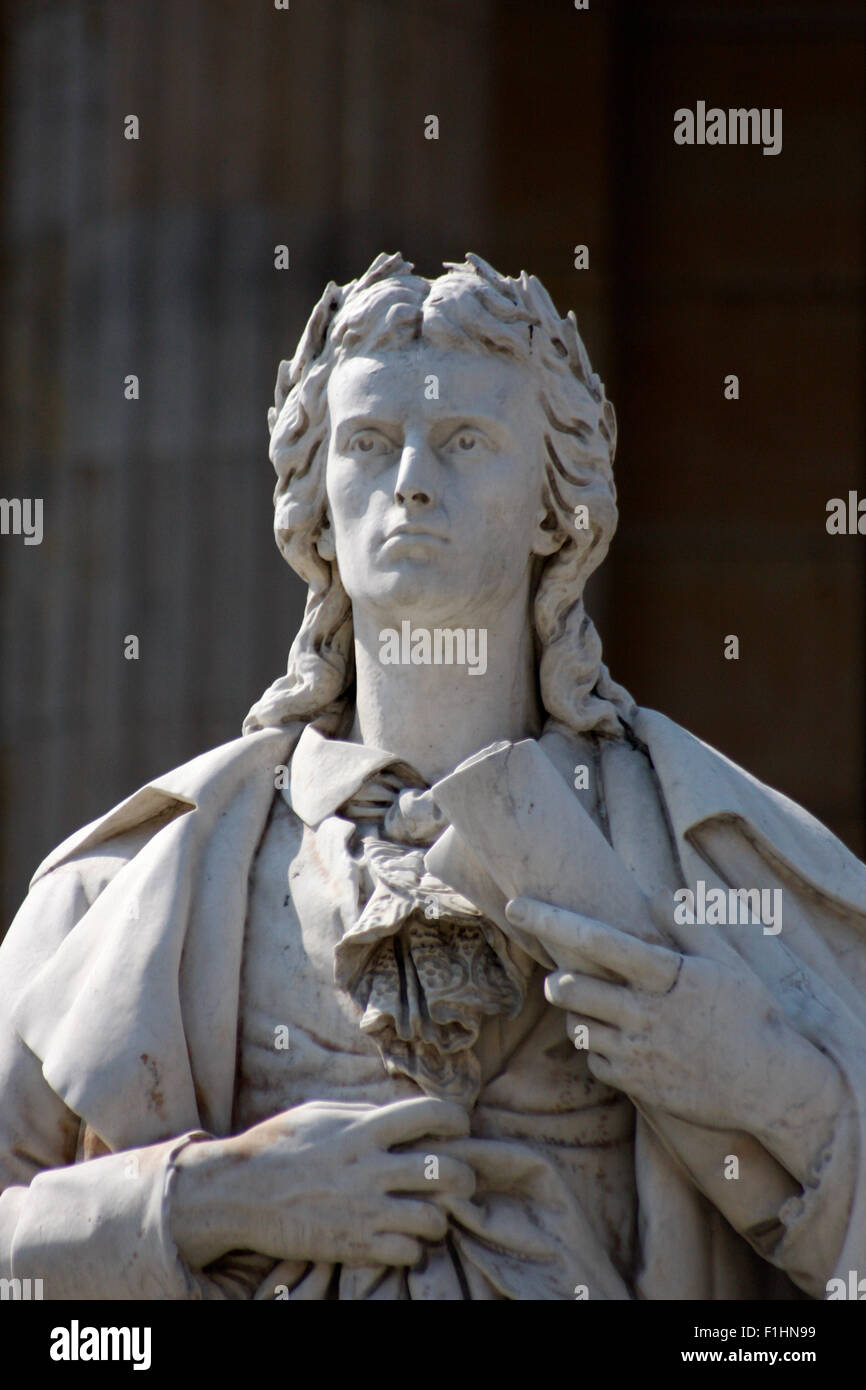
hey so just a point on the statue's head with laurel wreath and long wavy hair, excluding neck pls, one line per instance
(439, 444)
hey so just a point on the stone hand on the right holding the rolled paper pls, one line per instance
(687, 1035)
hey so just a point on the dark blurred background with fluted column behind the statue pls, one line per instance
(307, 127)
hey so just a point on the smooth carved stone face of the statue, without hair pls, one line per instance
(434, 482)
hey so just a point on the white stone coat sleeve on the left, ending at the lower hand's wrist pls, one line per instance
(90, 1228)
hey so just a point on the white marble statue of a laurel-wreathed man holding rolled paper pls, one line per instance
(255, 1046)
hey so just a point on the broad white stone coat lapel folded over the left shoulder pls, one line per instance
(136, 1017)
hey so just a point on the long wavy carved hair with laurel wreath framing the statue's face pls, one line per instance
(472, 306)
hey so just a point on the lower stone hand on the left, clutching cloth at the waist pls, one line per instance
(320, 1182)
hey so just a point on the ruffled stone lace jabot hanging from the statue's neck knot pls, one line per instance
(423, 964)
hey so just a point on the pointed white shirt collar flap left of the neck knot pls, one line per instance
(327, 772)
